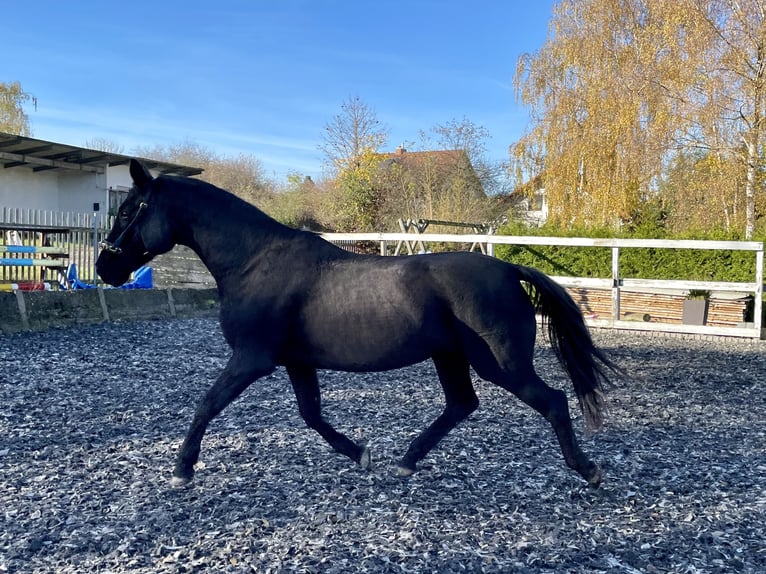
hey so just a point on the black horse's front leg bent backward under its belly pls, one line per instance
(306, 387)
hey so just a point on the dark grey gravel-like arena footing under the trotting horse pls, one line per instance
(91, 418)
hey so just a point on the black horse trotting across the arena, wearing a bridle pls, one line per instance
(289, 298)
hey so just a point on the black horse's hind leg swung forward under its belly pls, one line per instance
(455, 377)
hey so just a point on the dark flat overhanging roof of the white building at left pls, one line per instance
(41, 155)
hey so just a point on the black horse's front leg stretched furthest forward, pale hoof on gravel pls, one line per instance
(242, 369)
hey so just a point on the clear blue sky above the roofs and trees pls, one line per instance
(265, 77)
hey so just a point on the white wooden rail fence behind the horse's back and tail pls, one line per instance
(616, 283)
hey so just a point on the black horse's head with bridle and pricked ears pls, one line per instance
(140, 230)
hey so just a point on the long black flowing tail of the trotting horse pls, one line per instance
(570, 339)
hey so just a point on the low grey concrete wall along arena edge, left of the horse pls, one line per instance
(39, 310)
